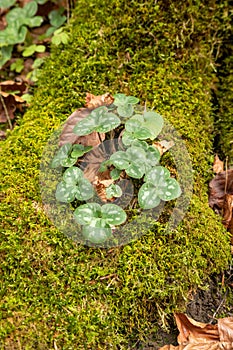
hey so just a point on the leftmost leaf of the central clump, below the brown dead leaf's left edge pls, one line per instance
(68, 155)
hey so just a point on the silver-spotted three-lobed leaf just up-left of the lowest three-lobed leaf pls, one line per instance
(73, 186)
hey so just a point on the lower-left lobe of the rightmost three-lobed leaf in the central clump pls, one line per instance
(148, 196)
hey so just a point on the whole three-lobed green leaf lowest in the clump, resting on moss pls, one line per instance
(97, 220)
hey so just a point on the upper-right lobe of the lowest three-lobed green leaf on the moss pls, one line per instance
(113, 214)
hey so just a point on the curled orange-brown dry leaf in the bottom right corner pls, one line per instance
(202, 336)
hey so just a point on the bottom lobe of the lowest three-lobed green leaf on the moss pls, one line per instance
(98, 231)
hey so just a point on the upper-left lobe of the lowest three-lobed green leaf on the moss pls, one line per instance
(86, 213)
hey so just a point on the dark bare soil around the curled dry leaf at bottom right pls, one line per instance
(214, 301)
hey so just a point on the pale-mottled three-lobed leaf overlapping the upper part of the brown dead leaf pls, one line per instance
(100, 120)
